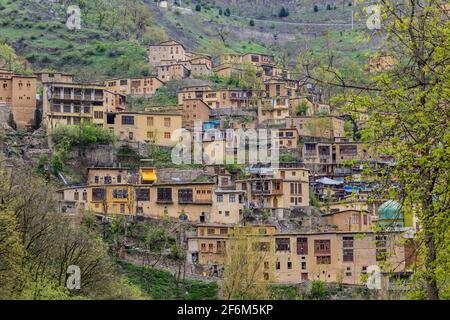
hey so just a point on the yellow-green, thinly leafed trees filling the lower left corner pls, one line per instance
(38, 244)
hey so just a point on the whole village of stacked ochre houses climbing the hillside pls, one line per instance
(314, 215)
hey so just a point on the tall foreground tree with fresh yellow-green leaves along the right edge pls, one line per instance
(408, 116)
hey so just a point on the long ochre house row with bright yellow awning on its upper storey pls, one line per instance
(141, 192)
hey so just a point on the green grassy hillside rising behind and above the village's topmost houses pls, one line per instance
(116, 33)
